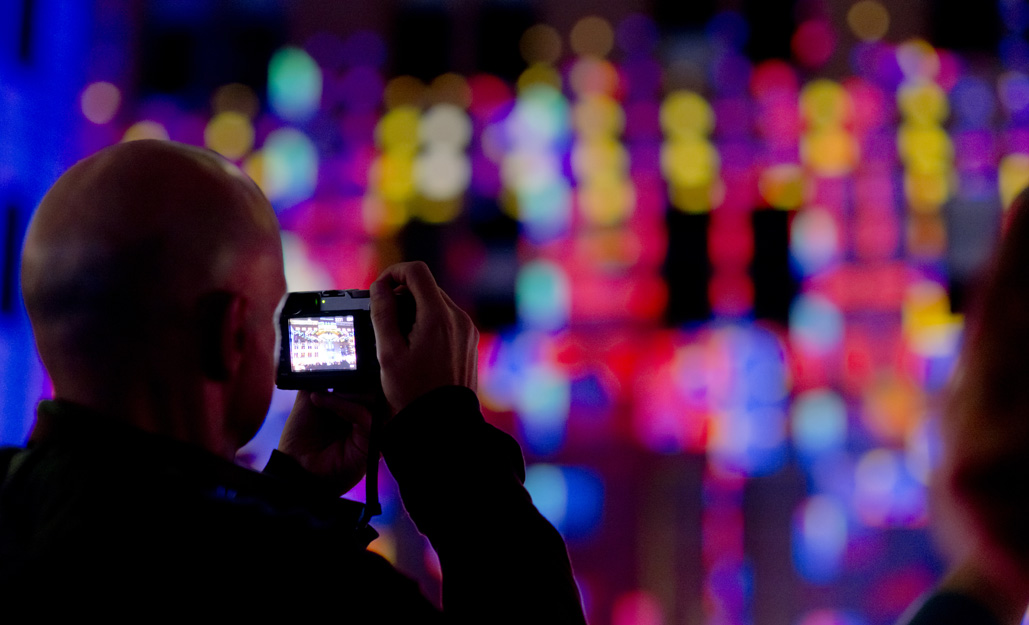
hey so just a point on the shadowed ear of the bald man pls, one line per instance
(222, 319)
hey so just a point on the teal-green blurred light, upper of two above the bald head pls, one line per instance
(295, 85)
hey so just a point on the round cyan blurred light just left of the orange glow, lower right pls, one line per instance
(820, 423)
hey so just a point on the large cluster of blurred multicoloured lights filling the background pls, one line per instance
(588, 155)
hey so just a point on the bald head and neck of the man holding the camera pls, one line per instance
(153, 273)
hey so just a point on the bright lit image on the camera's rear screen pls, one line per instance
(323, 344)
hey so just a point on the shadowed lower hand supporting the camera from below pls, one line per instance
(328, 434)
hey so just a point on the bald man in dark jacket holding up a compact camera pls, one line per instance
(153, 275)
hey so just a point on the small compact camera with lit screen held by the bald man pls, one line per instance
(328, 342)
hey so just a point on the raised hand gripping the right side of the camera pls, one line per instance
(440, 351)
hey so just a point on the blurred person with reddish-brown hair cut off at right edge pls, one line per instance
(980, 489)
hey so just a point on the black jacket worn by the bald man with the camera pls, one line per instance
(120, 519)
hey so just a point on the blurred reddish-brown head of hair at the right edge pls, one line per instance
(985, 470)
